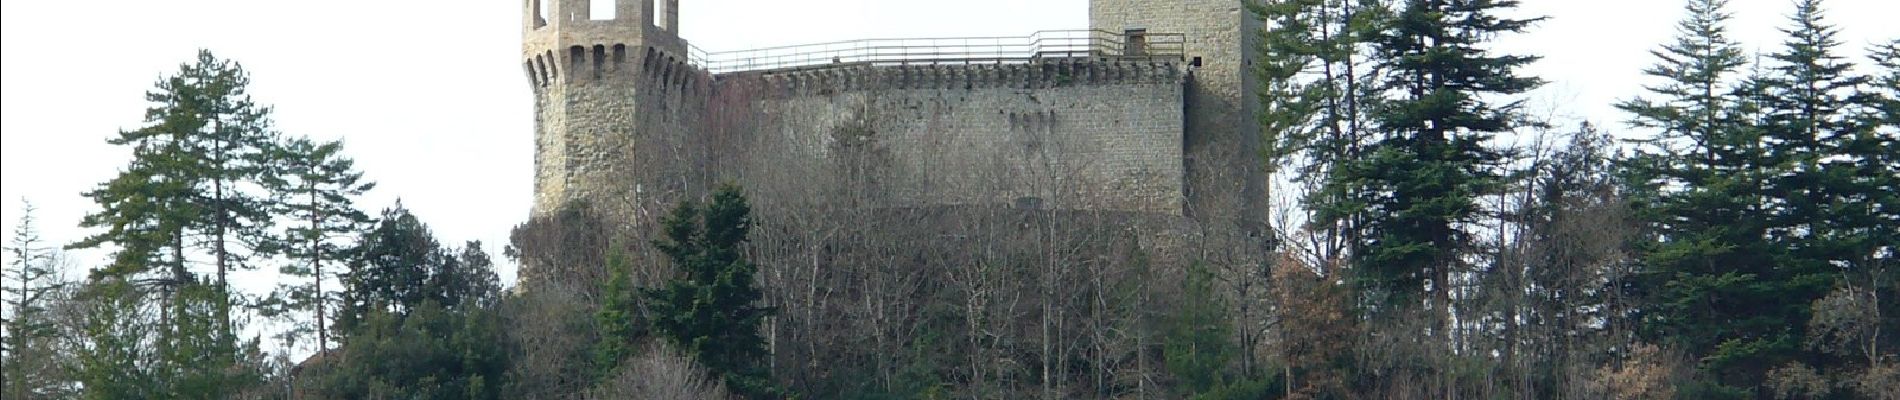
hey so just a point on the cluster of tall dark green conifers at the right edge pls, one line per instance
(1762, 194)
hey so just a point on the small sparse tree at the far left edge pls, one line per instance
(28, 285)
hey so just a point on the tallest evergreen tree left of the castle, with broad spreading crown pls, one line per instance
(195, 183)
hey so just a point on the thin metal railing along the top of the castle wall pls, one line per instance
(1000, 50)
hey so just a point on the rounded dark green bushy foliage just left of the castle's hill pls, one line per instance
(421, 319)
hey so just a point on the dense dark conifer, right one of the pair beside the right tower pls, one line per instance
(1420, 181)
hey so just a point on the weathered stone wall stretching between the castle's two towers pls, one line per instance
(1055, 136)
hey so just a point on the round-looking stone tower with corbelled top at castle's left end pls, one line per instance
(599, 84)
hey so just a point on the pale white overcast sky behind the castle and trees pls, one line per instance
(432, 101)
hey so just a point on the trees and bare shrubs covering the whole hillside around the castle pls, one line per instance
(1734, 240)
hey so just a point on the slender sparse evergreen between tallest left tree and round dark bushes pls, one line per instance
(322, 189)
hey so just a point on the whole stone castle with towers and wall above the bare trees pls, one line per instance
(1149, 113)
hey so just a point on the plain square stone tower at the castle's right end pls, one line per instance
(1223, 143)
